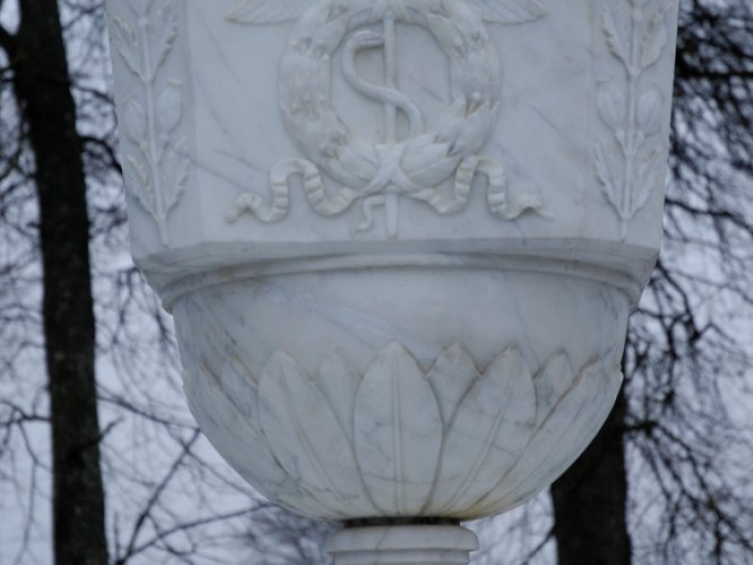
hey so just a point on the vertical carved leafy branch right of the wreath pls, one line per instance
(629, 174)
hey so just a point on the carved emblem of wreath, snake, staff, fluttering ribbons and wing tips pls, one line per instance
(378, 174)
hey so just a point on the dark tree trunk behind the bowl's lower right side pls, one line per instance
(590, 501)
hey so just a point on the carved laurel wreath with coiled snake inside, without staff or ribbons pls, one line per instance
(423, 159)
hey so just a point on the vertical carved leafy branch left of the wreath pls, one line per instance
(159, 171)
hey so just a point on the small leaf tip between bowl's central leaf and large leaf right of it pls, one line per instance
(451, 378)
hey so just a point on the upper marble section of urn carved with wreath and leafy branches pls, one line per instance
(346, 121)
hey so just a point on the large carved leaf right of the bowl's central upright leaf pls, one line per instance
(489, 434)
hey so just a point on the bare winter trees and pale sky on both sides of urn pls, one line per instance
(100, 461)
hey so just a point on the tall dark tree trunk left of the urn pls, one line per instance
(43, 91)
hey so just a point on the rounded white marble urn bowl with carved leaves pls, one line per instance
(404, 388)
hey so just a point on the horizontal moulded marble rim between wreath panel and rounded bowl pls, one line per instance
(225, 265)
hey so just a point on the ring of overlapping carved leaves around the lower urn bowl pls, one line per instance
(397, 440)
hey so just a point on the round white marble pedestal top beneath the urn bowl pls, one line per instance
(402, 545)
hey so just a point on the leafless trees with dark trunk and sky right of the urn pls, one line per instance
(673, 436)
